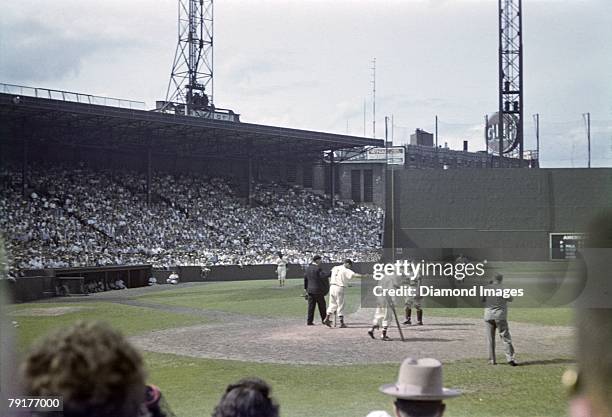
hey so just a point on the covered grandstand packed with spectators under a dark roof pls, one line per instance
(96, 185)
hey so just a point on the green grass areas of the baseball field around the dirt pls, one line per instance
(193, 386)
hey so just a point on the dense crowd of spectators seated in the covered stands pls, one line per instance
(74, 217)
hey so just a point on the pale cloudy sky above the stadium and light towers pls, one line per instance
(307, 63)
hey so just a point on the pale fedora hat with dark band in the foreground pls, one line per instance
(419, 380)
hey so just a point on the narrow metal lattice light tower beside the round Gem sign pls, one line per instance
(511, 77)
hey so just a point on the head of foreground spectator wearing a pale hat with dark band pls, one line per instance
(418, 391)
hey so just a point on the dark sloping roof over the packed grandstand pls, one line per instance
(128, 129)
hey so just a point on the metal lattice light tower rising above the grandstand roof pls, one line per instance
(191, 80)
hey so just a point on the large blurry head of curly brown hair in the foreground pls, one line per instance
(93, 367)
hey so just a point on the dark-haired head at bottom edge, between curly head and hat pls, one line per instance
(248, 397)
